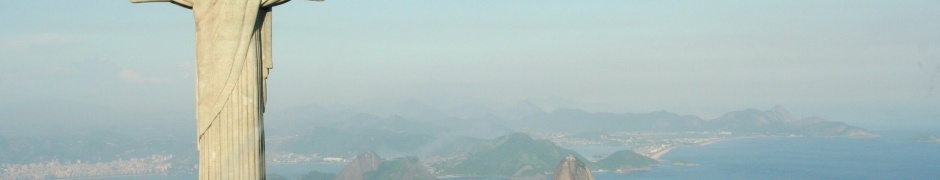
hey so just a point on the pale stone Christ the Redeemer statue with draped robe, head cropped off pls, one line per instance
(233, 56)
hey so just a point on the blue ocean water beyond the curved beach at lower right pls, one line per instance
(799, 158)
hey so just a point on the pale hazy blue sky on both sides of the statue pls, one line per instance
(694, 57)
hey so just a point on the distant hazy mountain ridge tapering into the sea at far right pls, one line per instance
(776, 120)
